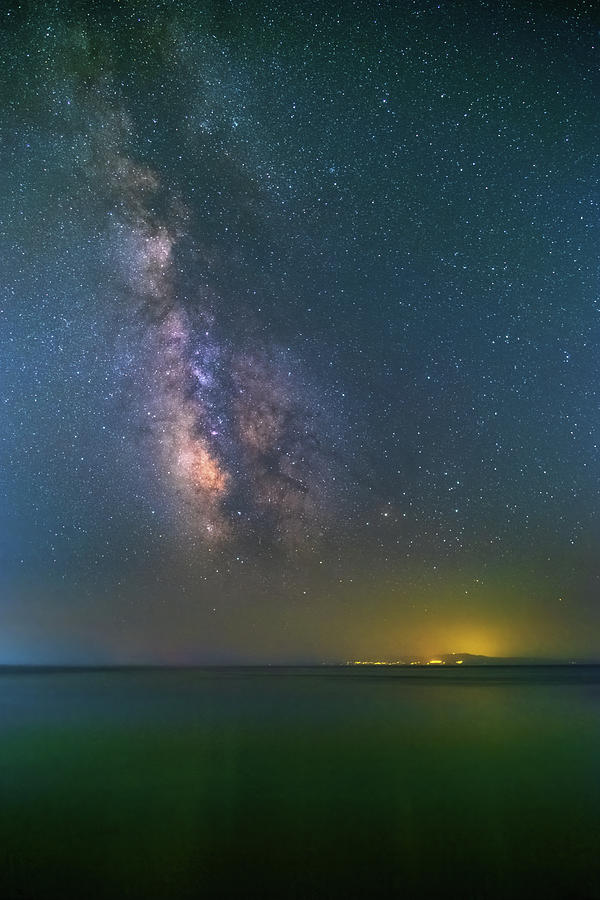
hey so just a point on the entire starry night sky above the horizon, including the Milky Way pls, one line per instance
(299, 322)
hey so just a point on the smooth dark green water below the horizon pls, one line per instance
(306, 783)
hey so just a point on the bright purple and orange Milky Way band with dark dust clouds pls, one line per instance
(231, 424)
